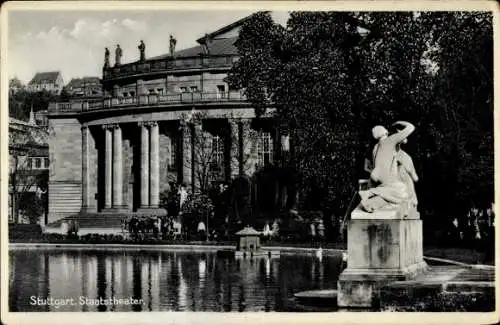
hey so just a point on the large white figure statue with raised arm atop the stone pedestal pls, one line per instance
(388, 185)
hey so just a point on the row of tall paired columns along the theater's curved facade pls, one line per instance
(150, 162)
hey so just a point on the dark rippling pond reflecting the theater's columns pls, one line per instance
(163, 281)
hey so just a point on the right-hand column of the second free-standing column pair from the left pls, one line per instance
(154, 180)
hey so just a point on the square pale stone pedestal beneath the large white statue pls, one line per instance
(382, 247)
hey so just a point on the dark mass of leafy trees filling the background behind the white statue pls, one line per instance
(332, 76)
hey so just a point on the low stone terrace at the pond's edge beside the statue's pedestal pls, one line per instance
(449, 288)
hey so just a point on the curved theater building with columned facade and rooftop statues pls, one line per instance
(116, 154)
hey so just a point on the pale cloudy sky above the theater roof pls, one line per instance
(73, 42)
